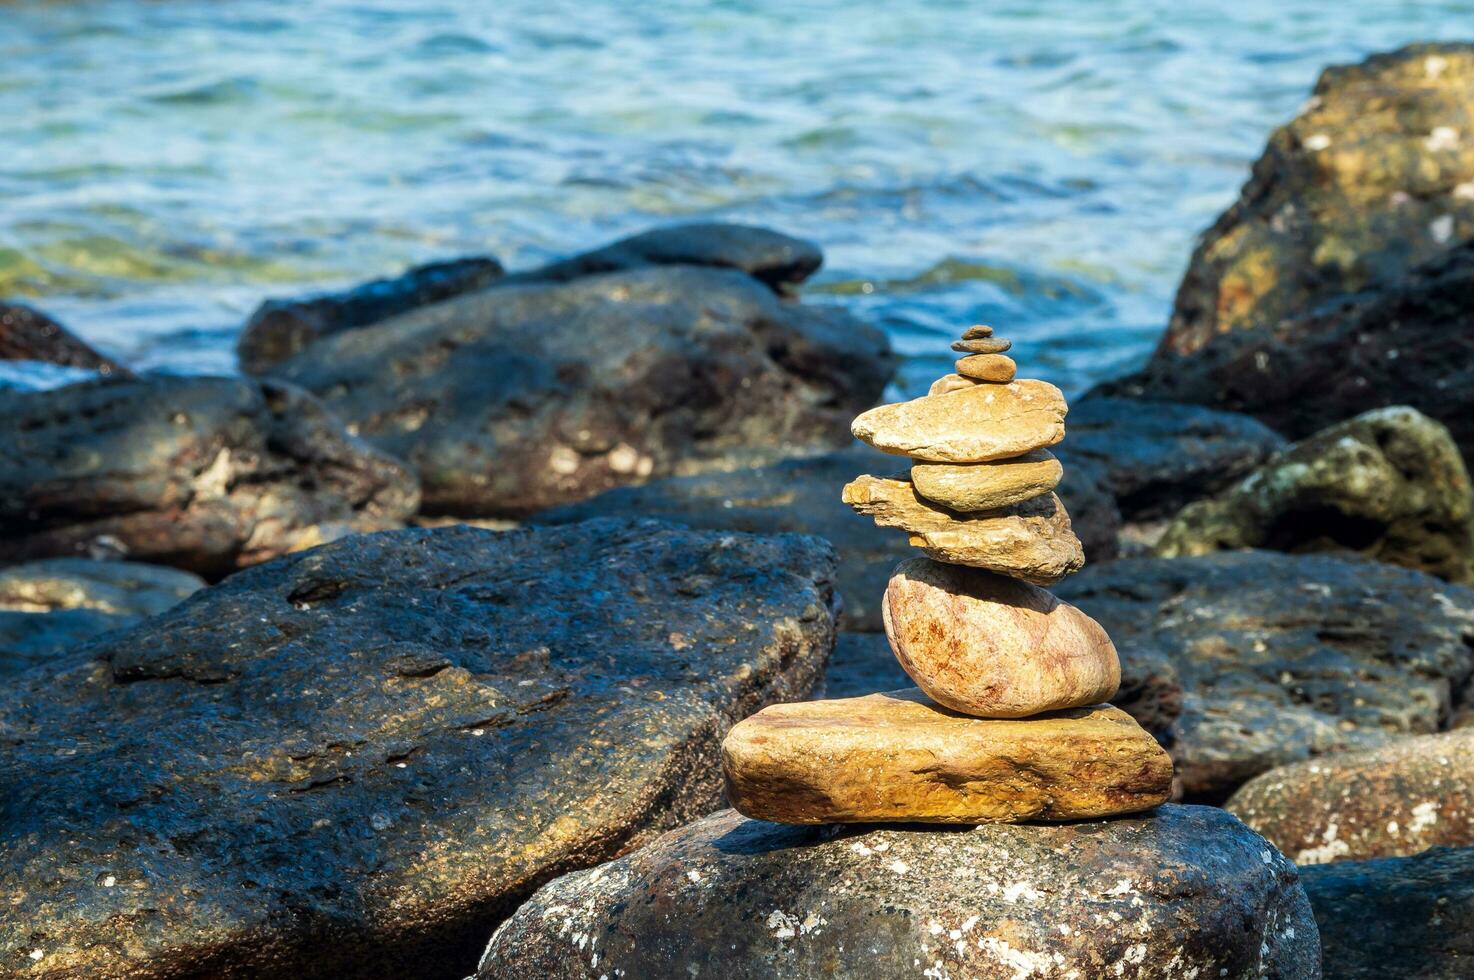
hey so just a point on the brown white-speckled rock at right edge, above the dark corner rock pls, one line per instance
(1398, 799)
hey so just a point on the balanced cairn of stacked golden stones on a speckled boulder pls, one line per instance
(1009, 720)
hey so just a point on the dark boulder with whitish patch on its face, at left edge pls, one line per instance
(204, 474)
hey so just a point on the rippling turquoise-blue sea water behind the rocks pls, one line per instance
(1041, 166)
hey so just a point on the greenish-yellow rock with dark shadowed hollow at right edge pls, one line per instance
(1389, 484)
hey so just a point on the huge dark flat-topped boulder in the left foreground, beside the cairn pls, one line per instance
(356, 761)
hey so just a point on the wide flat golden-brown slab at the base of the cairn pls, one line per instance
(900, 758)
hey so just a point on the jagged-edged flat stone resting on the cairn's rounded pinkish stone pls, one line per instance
(1030, 542)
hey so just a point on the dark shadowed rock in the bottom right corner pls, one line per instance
(1398, 919)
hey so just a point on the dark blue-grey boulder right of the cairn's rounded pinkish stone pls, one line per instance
(1283, 658)
